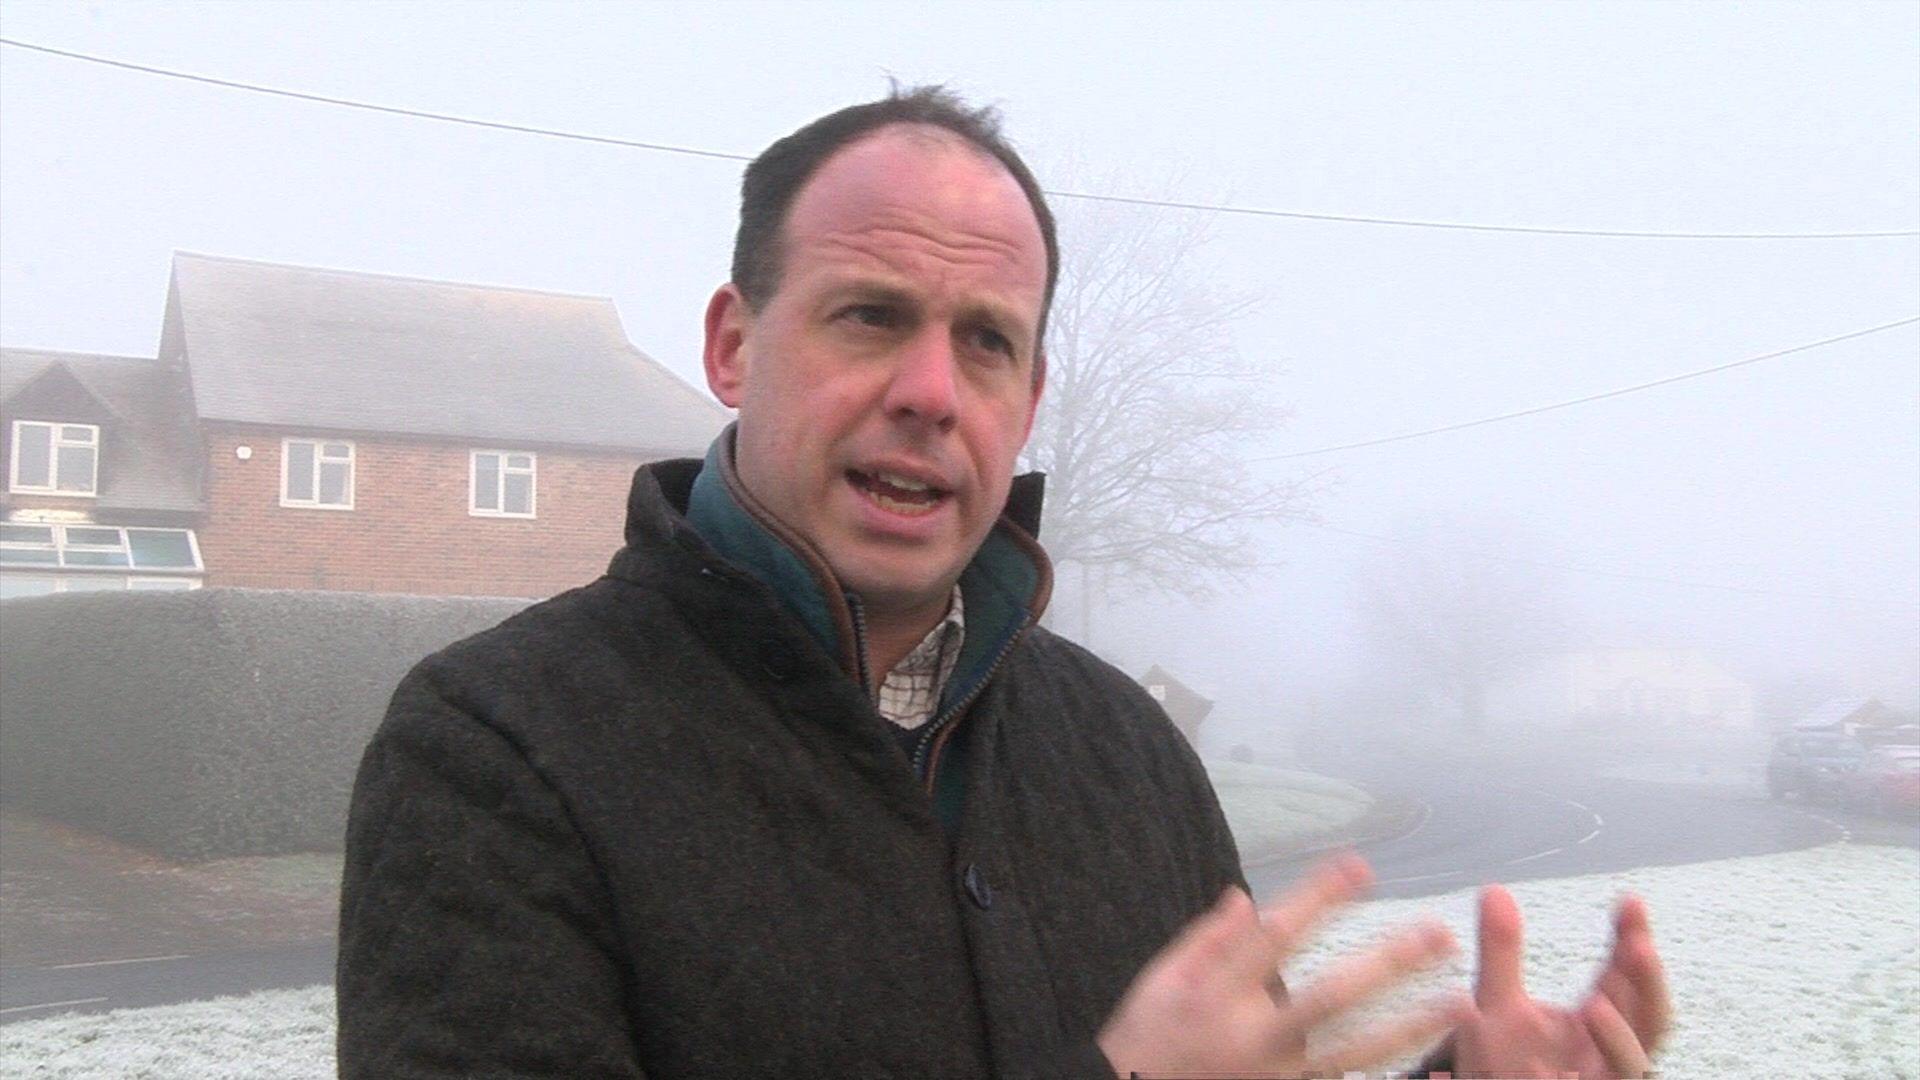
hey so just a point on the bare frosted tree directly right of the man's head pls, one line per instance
(1149, 406)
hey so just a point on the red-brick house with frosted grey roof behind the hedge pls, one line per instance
(327, 430)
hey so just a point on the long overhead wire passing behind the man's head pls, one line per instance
(1090, 197)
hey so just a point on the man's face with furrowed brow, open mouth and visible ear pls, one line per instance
(888, 385)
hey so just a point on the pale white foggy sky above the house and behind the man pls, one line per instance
(1765, 518)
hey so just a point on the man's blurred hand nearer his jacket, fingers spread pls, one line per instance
(1209, 1004)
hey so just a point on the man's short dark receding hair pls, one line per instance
(775, 180)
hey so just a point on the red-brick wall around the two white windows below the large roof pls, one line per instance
(410, 529)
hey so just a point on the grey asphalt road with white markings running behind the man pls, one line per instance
(1472, 827)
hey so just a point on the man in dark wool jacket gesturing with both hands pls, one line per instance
(800, 789)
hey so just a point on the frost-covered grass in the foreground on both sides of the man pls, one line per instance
(1804, 964)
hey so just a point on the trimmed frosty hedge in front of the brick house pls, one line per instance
(208, 724)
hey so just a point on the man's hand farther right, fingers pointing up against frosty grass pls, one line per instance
(1614, 1033)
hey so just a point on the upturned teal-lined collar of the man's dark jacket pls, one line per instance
(1005, 587)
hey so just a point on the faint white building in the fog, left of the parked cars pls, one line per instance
(1641, 687)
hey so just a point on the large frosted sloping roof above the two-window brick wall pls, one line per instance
(320, 349)
